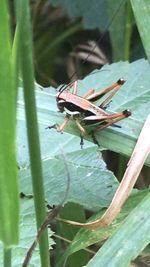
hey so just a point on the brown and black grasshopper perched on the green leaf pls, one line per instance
(84, 112)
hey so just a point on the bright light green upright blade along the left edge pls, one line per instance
(9, 206)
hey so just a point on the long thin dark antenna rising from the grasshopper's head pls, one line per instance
(64, 87)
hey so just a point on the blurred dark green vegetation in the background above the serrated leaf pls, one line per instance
(65, 32)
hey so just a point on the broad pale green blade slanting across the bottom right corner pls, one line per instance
(128, 241)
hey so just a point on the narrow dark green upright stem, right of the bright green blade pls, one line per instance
(32, 128)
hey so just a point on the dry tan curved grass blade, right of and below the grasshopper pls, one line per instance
(135, 164)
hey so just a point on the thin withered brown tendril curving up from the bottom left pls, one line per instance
(51, 215)
